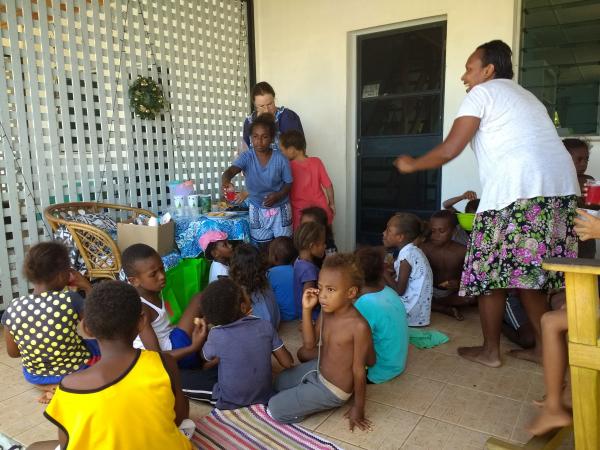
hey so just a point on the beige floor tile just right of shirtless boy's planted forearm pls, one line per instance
(408, 392)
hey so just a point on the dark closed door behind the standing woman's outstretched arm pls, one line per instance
(400, 110)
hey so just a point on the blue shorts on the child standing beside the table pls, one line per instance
(268, 223)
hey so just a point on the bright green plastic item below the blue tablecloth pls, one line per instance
(184, 280)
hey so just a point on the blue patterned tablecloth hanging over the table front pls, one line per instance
(188, 230)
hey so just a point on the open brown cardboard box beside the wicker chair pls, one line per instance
(160, 238)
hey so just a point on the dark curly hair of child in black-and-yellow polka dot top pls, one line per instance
(45, 261)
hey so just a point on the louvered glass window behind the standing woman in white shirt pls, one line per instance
(559, 62)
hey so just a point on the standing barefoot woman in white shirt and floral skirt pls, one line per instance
(528, 199)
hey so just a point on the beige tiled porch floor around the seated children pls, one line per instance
(441, 402)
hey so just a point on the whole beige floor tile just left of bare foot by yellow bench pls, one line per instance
(476, 410)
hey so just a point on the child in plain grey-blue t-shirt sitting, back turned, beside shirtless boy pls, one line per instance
(243, 344)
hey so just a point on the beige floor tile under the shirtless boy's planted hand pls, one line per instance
(391, 426)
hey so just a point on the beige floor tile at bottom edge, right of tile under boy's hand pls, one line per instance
(432, 434)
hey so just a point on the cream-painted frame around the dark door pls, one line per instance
(352, 114)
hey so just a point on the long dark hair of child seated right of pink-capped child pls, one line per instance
(248, 268)
